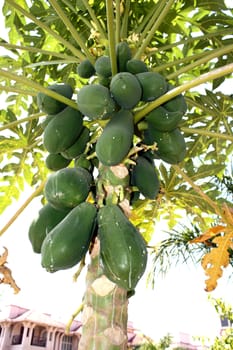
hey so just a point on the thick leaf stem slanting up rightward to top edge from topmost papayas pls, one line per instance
(160, 18)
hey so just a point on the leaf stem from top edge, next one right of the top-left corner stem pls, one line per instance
(71, 28)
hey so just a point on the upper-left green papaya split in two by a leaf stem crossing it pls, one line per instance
(49, 104)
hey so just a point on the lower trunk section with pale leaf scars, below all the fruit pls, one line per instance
(105, 310)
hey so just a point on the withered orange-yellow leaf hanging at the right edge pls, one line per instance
(217, 259)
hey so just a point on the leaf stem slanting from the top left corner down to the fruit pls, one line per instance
(47, 29)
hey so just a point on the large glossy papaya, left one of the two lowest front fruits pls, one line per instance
(69, 241)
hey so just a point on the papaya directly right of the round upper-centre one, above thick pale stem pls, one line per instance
(153, 85)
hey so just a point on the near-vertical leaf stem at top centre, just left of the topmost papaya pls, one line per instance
(111, 35)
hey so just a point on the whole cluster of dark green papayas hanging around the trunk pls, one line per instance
(72, 216)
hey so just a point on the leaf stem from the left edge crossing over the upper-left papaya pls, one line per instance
(37, 87)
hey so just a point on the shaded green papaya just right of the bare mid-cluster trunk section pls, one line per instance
(145, 178)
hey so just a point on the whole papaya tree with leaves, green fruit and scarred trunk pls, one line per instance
(116, 116)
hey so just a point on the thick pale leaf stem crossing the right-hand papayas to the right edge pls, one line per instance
(214, 74)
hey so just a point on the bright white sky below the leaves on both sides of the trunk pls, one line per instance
(178, 303)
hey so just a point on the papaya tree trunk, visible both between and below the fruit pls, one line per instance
(105, 312)
